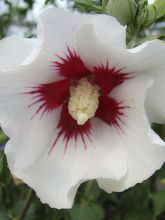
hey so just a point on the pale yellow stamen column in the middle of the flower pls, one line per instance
(83, 102)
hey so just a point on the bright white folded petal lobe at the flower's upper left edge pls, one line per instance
(14, 50)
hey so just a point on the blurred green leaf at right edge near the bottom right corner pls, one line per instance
(159, 203)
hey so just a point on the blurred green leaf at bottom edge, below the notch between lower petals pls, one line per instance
(87, 211)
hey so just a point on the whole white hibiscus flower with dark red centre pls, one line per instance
(77, 105)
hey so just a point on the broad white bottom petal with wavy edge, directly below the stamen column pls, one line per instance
(56, 177)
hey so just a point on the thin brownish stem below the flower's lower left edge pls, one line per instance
(27, 205)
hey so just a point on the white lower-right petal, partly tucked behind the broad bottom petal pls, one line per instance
(145, 150)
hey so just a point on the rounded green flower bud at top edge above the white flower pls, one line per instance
(123, 10)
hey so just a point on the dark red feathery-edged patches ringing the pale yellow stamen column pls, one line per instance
(52, 95)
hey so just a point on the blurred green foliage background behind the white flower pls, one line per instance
(145, 201)
